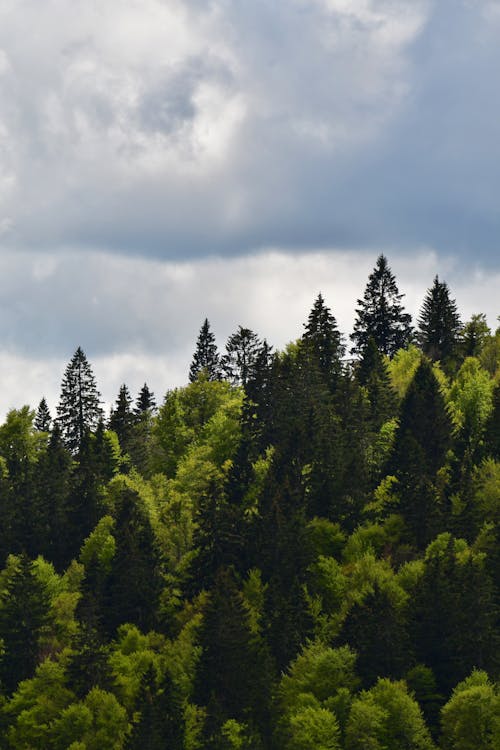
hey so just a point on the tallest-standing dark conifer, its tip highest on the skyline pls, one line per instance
(380, 314)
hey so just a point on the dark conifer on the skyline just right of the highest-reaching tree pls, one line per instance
(439, 324)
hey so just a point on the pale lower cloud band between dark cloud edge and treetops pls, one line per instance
(138, 320)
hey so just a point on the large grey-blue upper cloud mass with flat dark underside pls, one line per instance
(183, 129)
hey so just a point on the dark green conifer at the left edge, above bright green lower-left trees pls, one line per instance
(24, 614)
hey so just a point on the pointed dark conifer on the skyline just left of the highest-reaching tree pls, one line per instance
(323, 341)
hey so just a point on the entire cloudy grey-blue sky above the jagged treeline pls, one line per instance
(166, 160)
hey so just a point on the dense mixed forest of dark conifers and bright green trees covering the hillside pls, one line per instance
(298, 550)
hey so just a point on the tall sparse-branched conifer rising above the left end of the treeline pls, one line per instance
(79, 408)
